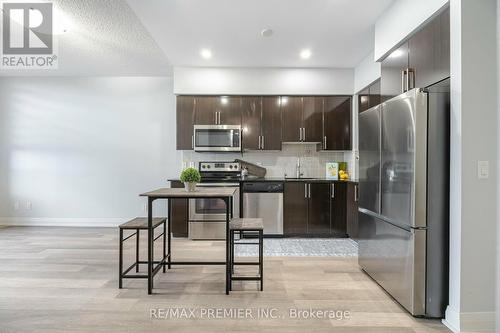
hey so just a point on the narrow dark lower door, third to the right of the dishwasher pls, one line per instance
(339, 209)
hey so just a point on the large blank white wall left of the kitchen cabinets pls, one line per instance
(82, 149)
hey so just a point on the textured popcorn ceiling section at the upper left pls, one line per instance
(104, 38)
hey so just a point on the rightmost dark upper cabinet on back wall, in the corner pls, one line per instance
(337, 123)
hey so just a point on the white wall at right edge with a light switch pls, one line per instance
(473, 201)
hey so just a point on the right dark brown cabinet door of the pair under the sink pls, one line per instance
(318, 222)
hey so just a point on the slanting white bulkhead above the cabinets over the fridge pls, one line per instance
(400, 20)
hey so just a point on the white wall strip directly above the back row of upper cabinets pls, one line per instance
(263, 81)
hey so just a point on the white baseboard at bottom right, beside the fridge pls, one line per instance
(465, 322)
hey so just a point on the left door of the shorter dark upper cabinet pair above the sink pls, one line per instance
(291, 112)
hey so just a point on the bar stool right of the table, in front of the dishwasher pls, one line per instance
(240, 226)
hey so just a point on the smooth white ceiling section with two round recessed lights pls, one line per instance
(338, 32)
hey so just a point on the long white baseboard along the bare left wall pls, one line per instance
(61, 221)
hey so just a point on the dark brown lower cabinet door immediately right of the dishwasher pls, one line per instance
(295, 208)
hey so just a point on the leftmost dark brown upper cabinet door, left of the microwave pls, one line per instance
(185, 120)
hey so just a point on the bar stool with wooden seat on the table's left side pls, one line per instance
(137, 224)
